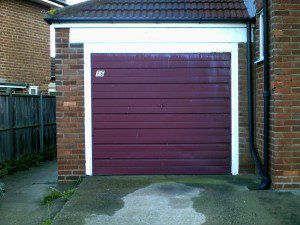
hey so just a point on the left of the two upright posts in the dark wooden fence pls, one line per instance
(11, 126)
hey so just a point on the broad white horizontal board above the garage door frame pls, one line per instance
(157, 35)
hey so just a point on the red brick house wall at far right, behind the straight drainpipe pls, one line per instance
(284, 53)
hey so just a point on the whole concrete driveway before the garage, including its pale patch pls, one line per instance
(178, 200)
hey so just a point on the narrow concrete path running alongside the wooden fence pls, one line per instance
(21, 204)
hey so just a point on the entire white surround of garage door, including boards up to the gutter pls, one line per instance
(180, 38)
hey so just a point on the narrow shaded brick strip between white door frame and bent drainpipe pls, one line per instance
(246, 163)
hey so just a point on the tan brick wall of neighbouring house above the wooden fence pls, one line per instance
(25, 43)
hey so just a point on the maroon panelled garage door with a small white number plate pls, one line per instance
(161, 114)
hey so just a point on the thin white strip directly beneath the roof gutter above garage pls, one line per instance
(149, 25)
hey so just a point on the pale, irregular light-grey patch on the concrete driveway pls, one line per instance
(161, 203)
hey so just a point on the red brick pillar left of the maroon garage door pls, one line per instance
(70, 108)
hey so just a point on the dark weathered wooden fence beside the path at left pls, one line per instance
(27, 126)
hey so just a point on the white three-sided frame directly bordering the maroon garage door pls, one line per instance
(232, 48)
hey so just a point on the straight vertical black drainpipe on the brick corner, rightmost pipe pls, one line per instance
(266, 182)
